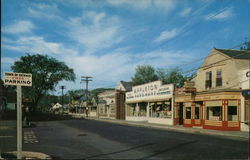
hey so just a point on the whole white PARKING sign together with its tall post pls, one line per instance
(18, 80)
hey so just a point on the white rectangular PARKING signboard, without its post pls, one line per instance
(17, 79)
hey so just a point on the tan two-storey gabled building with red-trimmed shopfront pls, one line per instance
(213, 100)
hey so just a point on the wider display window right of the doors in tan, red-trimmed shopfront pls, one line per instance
(214, 113)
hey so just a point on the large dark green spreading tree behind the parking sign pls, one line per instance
(46, 73)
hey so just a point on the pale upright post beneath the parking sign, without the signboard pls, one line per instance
(19, 122)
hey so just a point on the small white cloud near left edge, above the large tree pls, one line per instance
(21, 26)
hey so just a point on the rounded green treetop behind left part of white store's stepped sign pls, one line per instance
(144, 74)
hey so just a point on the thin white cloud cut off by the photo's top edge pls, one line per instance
(167, 5)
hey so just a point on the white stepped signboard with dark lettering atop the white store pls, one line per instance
(150, 91)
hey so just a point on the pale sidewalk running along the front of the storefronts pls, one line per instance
(235, 134)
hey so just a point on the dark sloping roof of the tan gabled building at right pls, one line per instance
(236, 54)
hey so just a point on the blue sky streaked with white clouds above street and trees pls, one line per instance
(107, 39)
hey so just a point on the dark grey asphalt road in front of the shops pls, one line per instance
(89, 139)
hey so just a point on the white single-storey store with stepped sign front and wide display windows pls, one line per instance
(151, 102)
